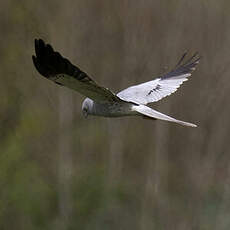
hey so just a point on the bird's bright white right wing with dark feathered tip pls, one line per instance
(163, 86)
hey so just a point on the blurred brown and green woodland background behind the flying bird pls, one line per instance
(61, 171)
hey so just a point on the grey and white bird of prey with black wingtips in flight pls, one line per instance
(101, 101)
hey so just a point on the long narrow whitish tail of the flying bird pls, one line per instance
(151, 113)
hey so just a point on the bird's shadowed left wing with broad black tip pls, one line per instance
(58, 69)
